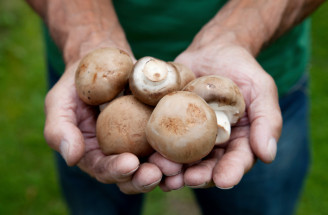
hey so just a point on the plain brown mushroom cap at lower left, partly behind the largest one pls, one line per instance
(121, 127)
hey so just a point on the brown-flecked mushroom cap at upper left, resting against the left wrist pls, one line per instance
(102, 74)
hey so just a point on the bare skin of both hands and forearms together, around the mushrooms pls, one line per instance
(226, 45)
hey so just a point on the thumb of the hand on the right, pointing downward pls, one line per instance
(266, 121)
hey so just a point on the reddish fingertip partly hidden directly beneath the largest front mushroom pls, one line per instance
(168, 168)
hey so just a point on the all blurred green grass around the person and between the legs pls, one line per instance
(28, 181)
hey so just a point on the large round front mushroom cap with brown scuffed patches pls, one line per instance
(182, 127)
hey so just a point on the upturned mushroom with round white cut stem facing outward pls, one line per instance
(151, 79)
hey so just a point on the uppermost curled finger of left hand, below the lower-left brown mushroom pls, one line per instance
(109, 169)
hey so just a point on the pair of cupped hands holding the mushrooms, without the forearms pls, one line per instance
(70, 127)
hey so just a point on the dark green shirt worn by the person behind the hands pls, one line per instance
(163, 29)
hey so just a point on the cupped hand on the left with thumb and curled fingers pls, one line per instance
(70, 129)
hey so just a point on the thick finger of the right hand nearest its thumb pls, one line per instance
(236, 161)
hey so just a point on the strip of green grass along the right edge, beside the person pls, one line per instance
(315, 199)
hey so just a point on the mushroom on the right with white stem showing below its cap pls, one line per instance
(224, 97)
